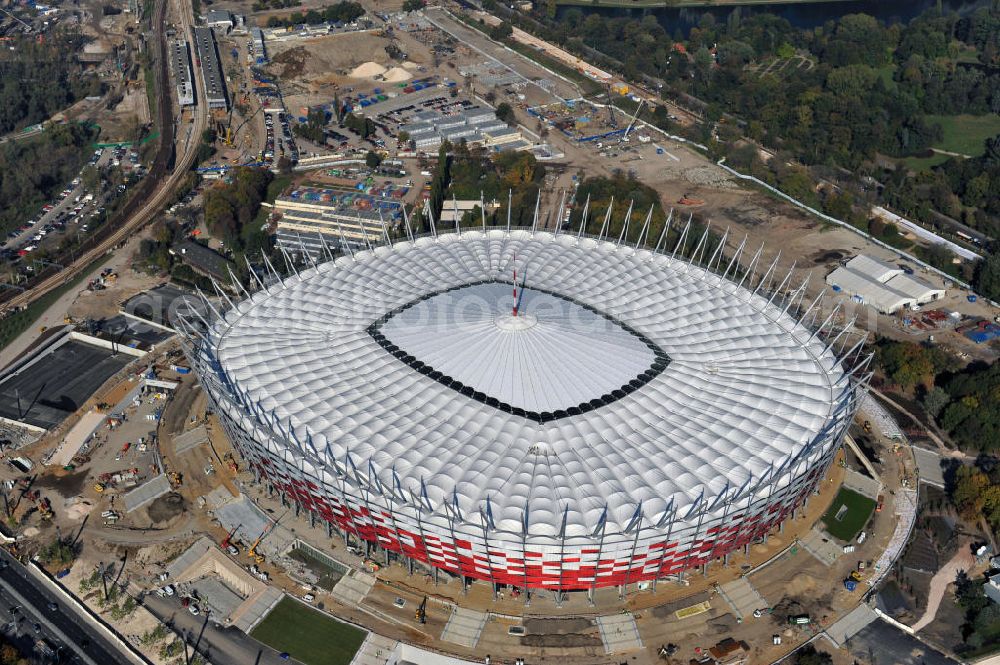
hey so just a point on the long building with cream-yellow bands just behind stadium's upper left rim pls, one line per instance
(342, 217)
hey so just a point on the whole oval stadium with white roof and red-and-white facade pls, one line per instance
(533, 409)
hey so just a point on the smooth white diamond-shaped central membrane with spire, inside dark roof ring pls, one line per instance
(553, 355)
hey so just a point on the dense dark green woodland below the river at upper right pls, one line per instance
(844, 95)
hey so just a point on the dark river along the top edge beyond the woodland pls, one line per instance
(803, 15)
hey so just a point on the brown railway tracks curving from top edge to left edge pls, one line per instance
(153, 192)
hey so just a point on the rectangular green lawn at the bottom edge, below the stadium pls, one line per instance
(308, 635)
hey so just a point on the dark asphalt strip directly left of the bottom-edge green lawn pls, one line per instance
(221, 645)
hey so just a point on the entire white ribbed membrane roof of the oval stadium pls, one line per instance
(631, 379)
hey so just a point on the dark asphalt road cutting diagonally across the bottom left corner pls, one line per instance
(18, 587)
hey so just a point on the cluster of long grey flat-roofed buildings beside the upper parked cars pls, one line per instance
(476, 125)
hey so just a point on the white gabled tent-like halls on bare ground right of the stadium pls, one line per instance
(881, 285)
